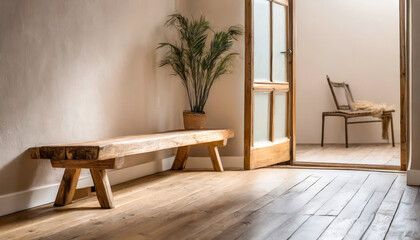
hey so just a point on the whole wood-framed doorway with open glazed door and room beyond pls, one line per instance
(362, 44)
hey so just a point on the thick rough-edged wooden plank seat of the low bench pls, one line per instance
(129, 145)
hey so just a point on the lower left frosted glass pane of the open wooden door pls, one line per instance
(261, 116)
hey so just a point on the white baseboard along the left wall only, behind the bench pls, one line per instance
(33, 197)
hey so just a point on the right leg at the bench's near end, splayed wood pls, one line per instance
(102, 188)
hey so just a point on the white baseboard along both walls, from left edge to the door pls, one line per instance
(34, 197)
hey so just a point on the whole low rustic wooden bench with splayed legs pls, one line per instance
(109, 153)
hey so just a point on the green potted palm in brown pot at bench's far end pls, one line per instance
(198, 61)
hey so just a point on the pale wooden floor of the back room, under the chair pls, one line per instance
(370, 154)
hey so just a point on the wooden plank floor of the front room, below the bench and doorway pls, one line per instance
(272, 203)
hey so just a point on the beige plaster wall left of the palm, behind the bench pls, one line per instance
(79, 70)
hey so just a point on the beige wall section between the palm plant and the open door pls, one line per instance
(225, 107)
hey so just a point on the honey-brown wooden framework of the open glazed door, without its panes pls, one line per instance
(278, 148)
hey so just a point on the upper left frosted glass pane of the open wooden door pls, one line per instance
(261, 41)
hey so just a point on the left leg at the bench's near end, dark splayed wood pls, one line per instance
(67, 187)
